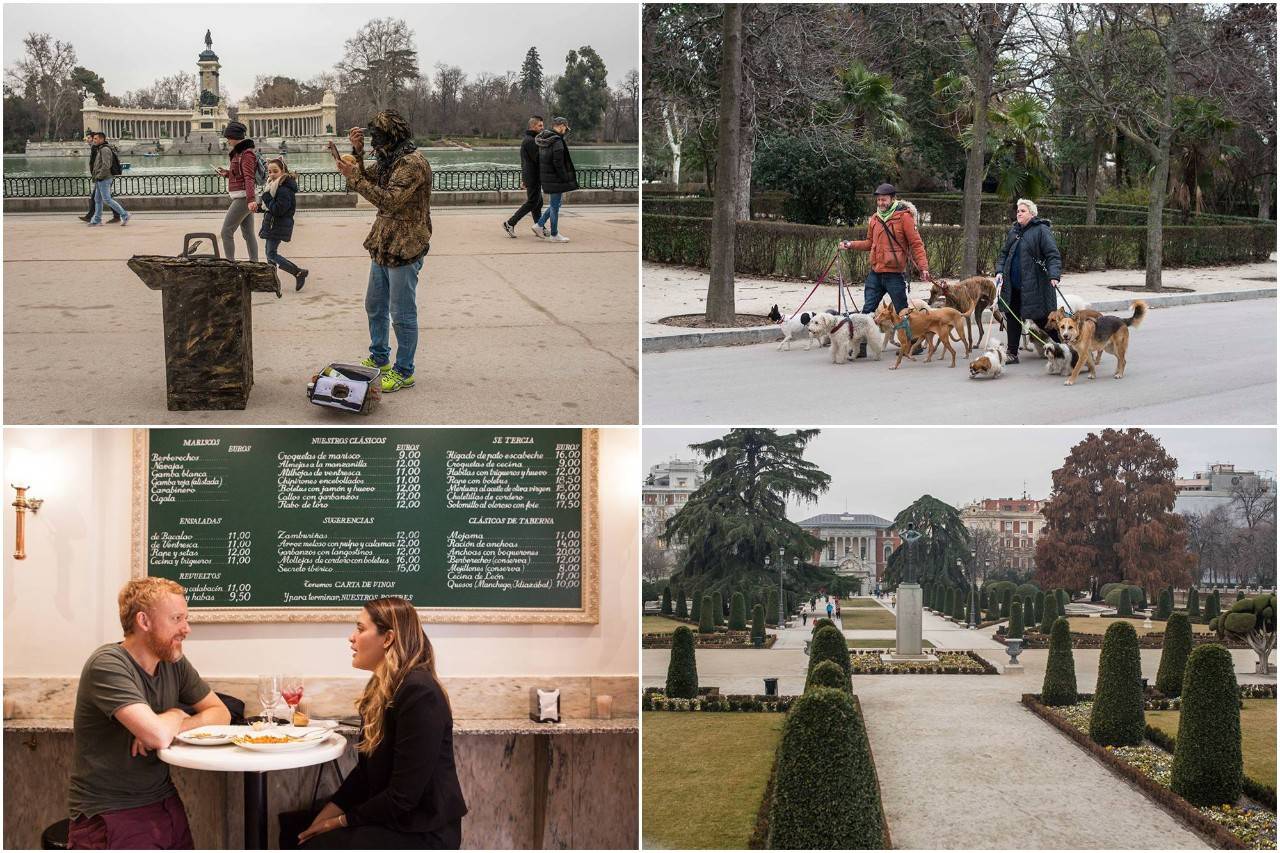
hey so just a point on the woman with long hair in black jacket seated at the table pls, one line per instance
(404, 793)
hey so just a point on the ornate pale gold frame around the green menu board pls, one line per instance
(589, 613)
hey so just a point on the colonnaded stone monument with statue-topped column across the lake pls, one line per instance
(209, 116)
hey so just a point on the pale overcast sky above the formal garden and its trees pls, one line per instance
(883, 472)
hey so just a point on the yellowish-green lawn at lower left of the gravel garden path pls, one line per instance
(705, 776)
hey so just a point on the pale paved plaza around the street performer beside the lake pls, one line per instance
(511, 331)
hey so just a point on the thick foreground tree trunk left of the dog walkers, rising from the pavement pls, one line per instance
(720, 291)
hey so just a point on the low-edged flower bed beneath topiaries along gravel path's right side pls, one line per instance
(1151, 768)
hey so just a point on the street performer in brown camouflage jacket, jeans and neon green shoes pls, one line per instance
(400, 186)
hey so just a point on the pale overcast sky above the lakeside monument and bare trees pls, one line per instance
(131, 45)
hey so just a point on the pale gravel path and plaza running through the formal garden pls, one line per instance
(962, 764)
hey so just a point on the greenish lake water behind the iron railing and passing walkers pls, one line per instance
(19, 166)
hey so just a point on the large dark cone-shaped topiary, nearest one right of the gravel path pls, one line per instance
(1208, 759)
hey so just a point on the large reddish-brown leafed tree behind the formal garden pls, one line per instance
(1110, 517)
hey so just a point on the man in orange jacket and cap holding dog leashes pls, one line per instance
(894, 243)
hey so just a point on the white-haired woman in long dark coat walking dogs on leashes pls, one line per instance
(1027, 272)
